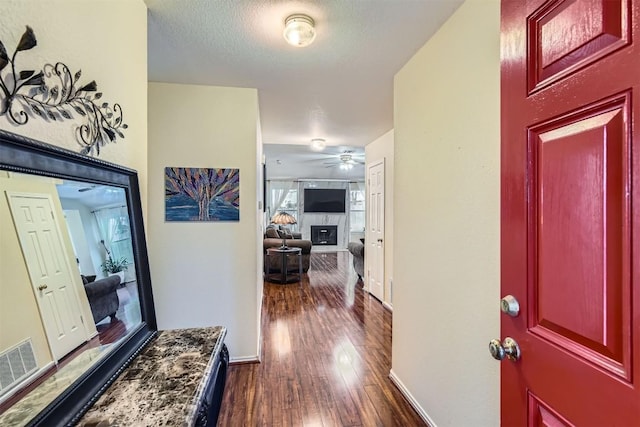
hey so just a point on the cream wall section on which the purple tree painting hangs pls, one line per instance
(206, 274)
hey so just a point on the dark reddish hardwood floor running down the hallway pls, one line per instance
(326, 356)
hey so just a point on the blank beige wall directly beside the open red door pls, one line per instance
(447, 217)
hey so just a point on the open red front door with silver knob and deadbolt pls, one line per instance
(570, 236)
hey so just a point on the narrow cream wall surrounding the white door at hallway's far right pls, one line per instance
(382, 149)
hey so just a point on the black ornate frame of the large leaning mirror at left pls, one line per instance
(25, 155)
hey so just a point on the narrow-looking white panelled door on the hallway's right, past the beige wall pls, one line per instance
(375, 239)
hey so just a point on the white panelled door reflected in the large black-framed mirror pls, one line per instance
(46, 259)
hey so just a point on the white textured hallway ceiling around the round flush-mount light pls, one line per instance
(339, 88)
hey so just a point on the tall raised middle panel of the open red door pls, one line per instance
(580, 234)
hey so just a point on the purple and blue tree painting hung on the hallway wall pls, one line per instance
(202, 194)
